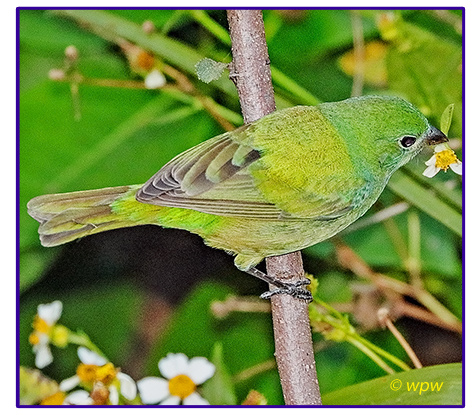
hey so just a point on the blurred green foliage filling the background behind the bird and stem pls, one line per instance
(105, 136)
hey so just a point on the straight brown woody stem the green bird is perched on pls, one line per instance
(250, 72)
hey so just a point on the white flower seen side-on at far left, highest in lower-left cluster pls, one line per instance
(45, 319)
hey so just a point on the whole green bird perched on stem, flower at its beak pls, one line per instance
(280, 184)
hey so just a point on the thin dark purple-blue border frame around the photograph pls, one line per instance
(17, 188)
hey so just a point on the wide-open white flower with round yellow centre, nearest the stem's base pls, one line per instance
(182, 375)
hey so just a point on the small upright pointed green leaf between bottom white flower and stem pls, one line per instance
(219, 390)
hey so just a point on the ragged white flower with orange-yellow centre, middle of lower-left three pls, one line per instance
(95, 373)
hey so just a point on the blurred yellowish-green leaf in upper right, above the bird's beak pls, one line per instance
(425, 67)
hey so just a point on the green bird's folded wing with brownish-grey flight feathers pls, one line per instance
(214, 177)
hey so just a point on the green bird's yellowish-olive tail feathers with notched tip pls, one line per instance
(68, 216)
